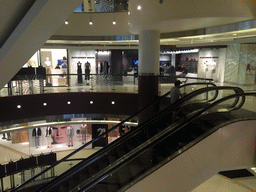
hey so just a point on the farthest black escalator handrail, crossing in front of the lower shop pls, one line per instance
(102, 135)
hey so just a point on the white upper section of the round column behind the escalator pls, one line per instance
(149, 52)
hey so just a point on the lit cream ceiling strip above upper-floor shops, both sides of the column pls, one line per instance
(217, 39)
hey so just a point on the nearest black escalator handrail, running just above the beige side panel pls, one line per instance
(195, 116)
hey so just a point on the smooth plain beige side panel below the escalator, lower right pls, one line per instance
(230, 147)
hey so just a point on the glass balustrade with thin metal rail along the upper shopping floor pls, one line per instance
(27, 85)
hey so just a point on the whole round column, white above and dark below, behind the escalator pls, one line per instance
(149, 51)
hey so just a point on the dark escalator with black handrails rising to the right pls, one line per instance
(148, 146)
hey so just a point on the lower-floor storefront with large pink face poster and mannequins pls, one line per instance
(42, 138)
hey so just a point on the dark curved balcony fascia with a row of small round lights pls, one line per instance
(32, 105)
